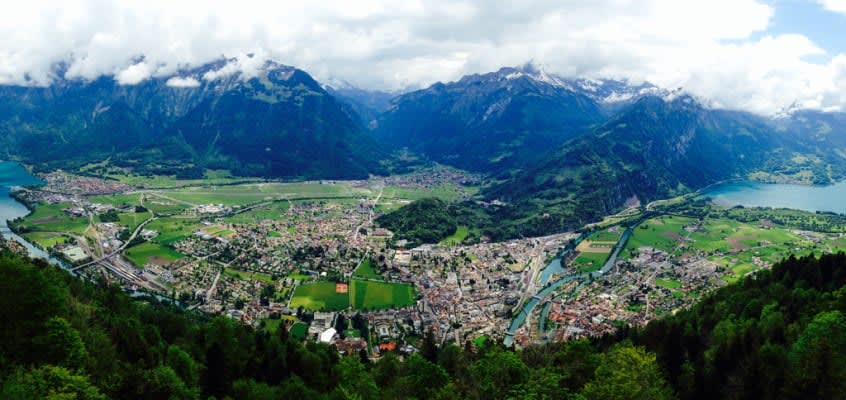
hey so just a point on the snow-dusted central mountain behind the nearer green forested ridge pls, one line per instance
(488, 122)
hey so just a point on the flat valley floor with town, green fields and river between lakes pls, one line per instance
(307, 254)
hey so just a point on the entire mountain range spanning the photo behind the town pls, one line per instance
(557, 152)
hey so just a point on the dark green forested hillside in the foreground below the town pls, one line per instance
(777, 335)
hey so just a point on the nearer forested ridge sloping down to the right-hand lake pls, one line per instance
(654, 149)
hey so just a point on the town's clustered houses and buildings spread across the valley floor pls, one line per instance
(248, 269)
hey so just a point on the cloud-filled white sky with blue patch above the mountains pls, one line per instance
(755, 55)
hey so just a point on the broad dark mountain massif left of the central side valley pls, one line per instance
(278, 122)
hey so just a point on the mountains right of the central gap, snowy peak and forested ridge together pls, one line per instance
(560, 153)
